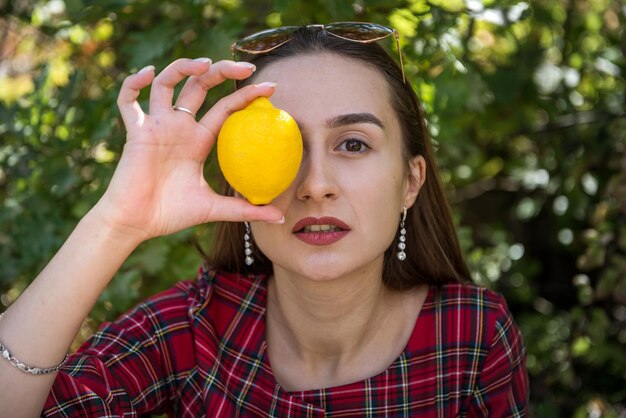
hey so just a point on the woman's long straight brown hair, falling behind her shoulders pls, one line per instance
(432, 248)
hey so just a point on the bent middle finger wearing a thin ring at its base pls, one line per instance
(195, 89)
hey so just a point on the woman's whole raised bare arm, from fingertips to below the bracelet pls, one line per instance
(161, 166)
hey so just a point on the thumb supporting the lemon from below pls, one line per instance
(234, 209)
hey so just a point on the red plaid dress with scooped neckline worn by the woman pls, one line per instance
(199, 350)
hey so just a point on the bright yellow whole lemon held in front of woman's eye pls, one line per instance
(259, 150)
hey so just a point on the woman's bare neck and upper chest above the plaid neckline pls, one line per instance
(323, 332)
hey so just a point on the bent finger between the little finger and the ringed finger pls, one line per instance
(163, 85)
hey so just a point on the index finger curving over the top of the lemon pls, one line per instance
(214, 119)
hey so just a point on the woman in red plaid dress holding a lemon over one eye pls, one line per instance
(354, 303)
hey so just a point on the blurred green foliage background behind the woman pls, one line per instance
(525, 104)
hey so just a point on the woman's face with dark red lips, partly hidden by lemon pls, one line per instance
(343, 209)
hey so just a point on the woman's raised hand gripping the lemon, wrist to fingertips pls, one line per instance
(158, 187)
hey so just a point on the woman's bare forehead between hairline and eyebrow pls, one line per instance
(318, 86)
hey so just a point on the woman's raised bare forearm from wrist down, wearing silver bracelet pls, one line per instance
(40, 326)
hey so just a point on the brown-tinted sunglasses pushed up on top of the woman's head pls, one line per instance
(361, 32)
